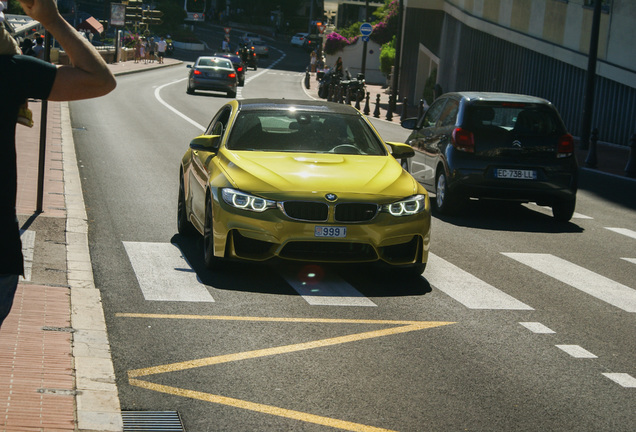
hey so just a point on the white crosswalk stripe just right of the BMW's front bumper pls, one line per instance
(466, 288)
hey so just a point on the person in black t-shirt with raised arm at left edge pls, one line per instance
(24, 77)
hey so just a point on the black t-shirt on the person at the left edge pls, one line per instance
(22, 77)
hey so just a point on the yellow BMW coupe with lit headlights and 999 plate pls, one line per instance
(309, 181)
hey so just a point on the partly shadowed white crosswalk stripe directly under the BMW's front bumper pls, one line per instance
(323, 288)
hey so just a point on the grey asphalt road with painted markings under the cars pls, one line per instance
(518, 323)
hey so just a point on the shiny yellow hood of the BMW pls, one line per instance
(271, 174)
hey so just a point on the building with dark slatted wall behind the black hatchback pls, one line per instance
(536, 47)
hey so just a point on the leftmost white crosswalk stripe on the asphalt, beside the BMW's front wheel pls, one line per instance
(164, 274)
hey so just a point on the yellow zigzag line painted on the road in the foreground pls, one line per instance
(401, 327)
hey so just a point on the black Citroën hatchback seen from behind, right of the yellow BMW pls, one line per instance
(495, 146)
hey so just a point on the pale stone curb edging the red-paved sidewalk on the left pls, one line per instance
(96, 399)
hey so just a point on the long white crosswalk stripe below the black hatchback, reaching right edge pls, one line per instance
(607, 290)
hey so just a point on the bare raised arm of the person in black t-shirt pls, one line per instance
(88, 75)
